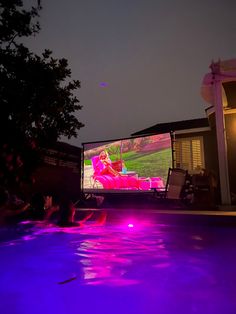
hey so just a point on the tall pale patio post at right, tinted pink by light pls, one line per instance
(221, 141)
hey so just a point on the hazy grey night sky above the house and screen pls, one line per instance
(140, 62)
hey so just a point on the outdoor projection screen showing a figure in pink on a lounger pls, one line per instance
(139, 163)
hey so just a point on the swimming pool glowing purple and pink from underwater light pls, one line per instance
(137, 263)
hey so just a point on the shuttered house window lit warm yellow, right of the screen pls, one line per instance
(189, 154)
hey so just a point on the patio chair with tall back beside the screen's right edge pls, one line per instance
(174, 185)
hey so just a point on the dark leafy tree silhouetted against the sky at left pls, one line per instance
(37, 102)
